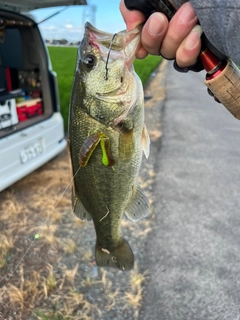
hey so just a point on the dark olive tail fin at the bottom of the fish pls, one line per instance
(121, 257)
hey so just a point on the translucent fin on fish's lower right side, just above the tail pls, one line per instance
(138, 206)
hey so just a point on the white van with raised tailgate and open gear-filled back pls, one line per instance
(31, 125)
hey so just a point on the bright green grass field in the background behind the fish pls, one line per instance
(64, 60)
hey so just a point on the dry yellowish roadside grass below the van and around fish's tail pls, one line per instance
(40, 276)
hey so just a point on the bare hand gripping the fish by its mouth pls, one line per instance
(178, 39)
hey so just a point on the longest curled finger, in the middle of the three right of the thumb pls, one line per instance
(179, 27)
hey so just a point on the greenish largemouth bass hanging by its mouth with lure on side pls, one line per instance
(107, 138)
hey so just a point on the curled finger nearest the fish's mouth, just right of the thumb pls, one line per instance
(153, 32)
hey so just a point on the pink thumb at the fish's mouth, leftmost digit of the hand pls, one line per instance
(132, 18)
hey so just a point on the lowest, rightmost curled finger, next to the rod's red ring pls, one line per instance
(188, 51)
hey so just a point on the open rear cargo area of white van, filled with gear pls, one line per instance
(27, 93)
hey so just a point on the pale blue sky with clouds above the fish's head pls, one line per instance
(69, 23)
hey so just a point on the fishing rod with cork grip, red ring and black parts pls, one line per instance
(223, 76)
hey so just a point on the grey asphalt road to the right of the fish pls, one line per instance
(193, 254)
